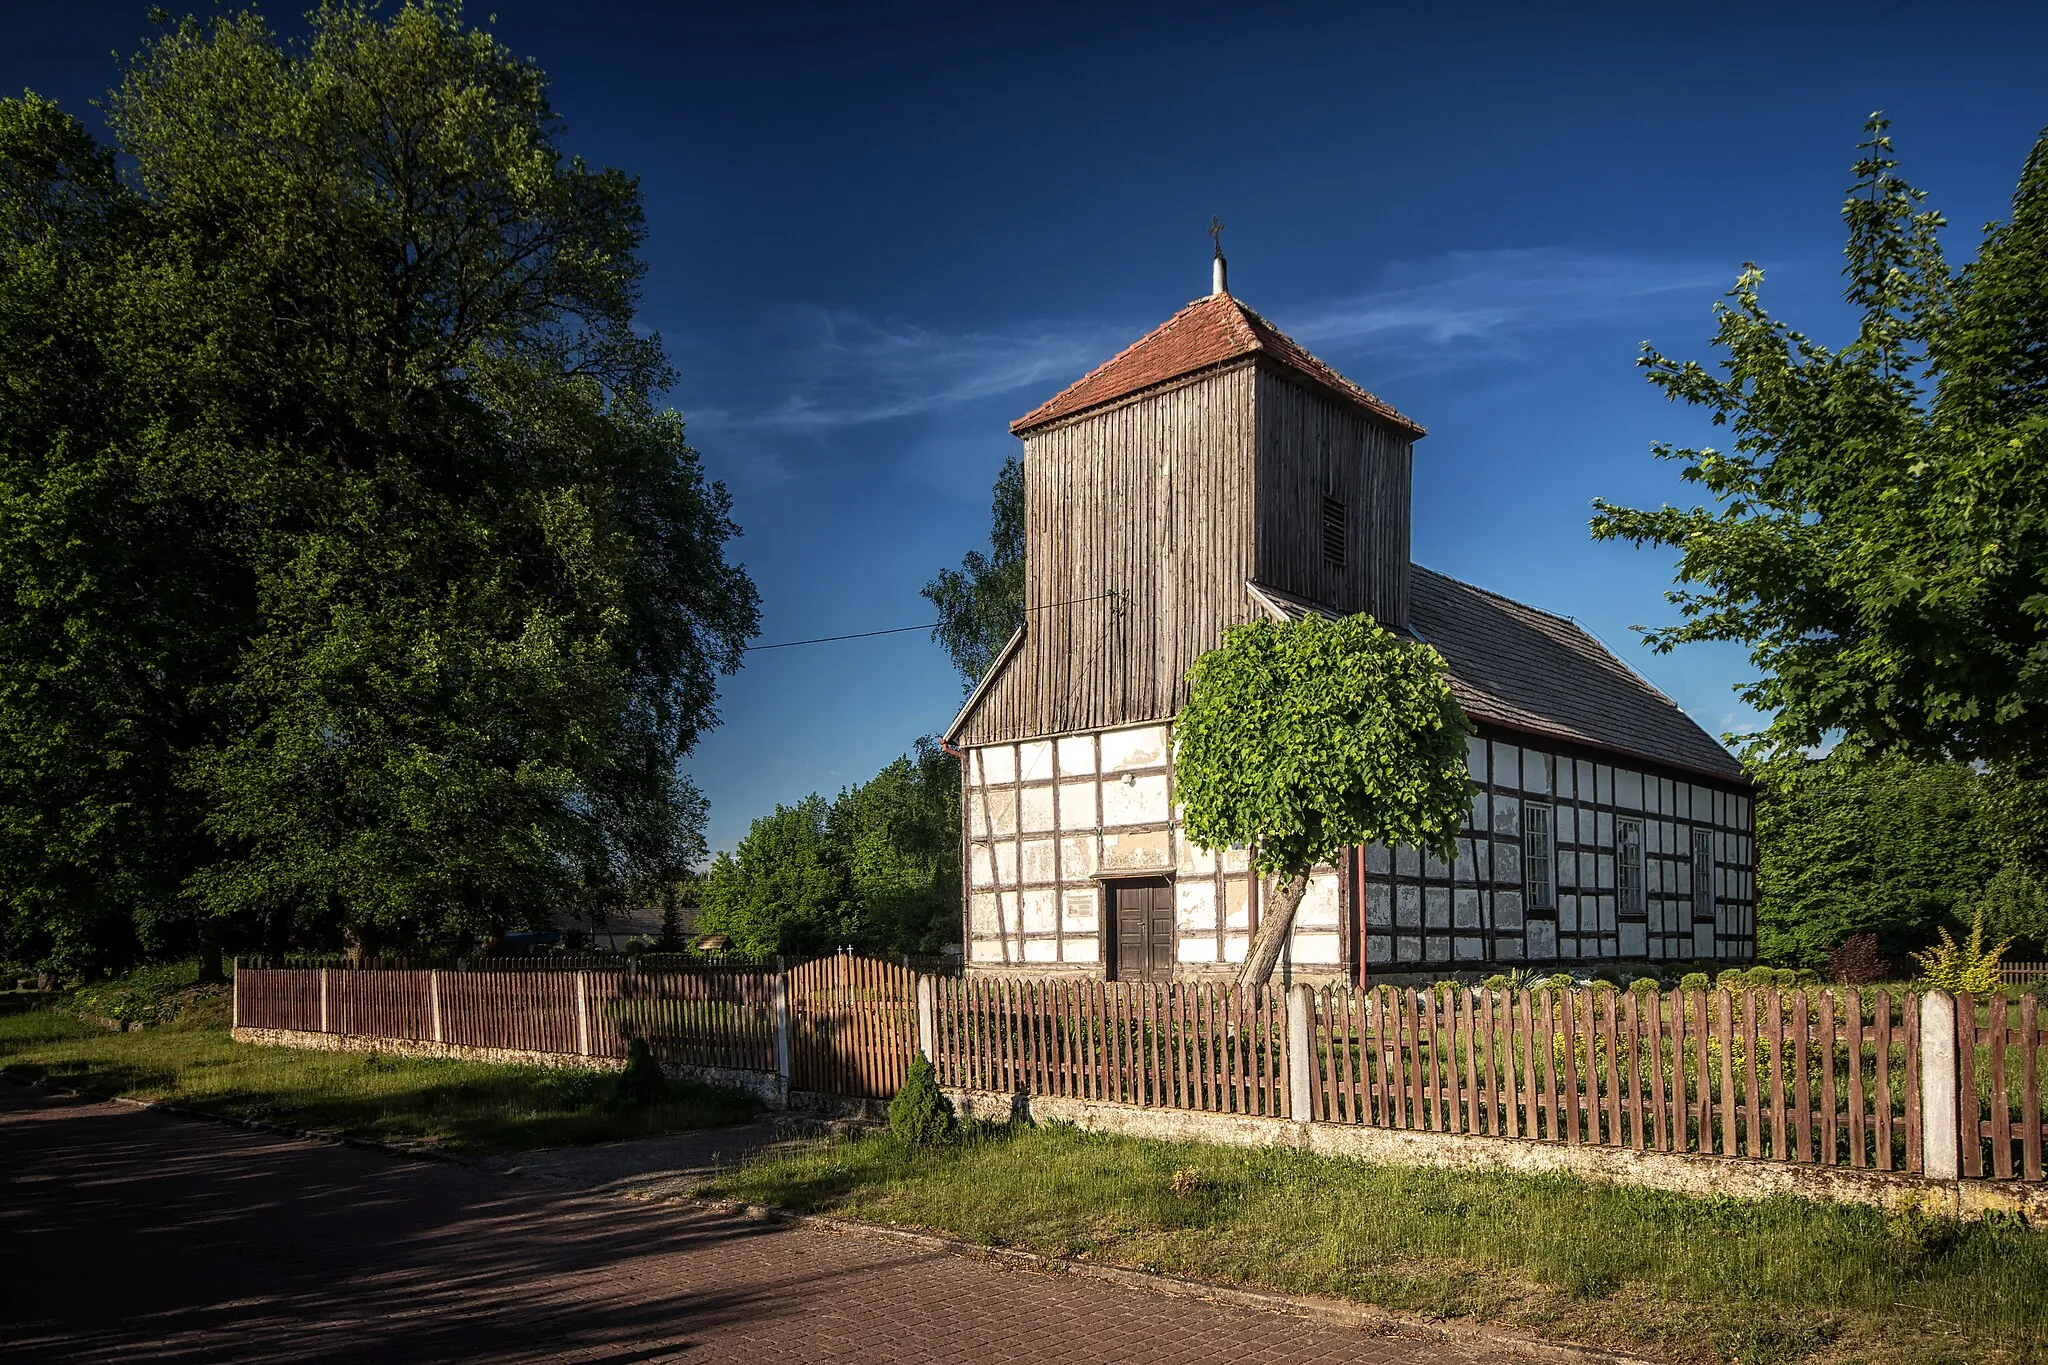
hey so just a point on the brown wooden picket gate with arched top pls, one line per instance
(853, 1026)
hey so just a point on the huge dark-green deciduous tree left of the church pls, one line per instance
(460, 582)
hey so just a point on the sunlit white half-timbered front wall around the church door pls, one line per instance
(1054, 822)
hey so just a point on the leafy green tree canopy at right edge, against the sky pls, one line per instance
(1879, 527)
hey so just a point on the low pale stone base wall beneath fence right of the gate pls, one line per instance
(1687, 1176)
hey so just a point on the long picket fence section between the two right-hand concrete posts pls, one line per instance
(1768, 1075)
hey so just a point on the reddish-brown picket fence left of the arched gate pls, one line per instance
(693, 1018)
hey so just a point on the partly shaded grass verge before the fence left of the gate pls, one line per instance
(466, 1108)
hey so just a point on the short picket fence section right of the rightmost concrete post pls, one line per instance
(2000, 1088)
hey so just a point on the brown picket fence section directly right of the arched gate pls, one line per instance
(1183, 1047)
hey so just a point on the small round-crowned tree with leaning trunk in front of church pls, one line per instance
(1312, 738)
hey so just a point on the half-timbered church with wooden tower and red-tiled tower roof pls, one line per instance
(1211, 474)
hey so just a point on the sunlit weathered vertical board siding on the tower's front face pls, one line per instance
(1150, 500)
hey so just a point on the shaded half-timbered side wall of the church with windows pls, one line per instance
(1426, 916)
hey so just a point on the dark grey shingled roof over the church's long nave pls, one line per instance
(1541, 674)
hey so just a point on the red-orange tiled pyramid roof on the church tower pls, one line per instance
(1209, 333)
